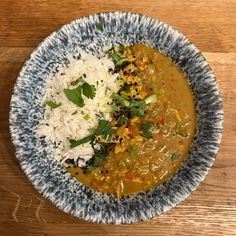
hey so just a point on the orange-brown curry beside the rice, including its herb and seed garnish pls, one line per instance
(152, 128)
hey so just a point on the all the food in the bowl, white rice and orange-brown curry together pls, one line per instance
(122, 121)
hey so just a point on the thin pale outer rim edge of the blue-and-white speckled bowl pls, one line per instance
(21, 76)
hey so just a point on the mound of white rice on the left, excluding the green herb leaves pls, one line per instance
(59, 125)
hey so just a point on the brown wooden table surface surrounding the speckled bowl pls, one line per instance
(211, 26)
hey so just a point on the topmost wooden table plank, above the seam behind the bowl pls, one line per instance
(211, 25)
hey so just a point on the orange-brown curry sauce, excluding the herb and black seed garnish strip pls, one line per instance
(148, 162)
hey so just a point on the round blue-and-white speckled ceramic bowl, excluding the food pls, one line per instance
(36, 156)
